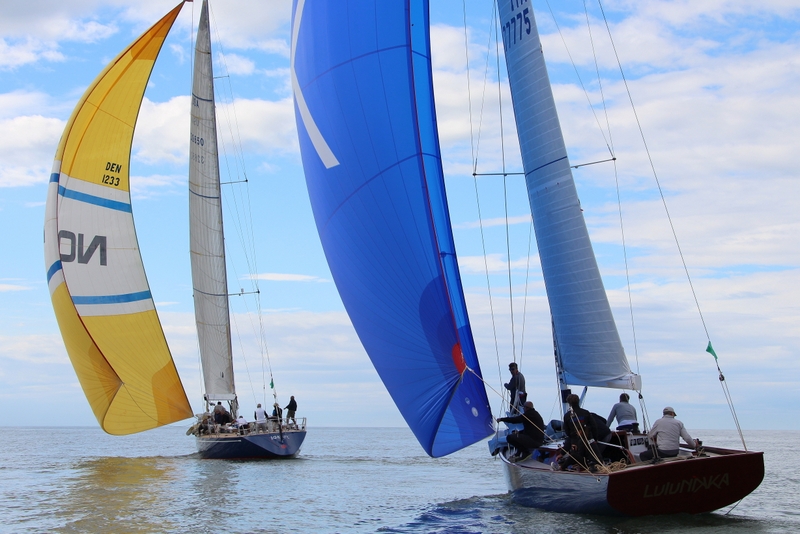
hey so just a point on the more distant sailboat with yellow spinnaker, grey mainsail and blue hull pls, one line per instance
(96, 277)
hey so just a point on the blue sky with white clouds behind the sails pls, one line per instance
(714, 90)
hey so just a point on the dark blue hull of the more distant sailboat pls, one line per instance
(257, 445)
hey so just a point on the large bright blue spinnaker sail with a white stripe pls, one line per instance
(362, 80)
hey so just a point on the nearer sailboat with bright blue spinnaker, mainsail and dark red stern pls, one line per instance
(362, 80)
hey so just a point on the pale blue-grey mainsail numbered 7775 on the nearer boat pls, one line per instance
(587, 342)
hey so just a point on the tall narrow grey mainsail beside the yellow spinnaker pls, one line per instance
(209, 272)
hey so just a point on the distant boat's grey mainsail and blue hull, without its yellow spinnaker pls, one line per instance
(210, 280)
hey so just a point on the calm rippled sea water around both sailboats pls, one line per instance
(345, 480)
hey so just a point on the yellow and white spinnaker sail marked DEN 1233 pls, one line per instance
(95, 273)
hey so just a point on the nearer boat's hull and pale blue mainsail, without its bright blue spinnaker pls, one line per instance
(587, 345)
